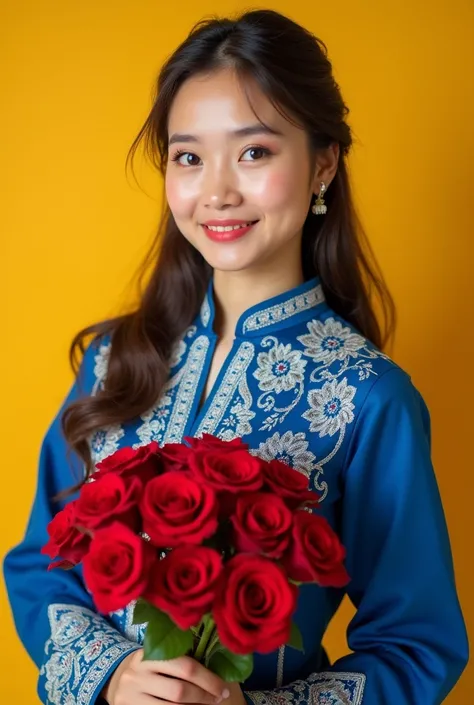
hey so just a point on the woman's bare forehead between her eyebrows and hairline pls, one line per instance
(219, 102)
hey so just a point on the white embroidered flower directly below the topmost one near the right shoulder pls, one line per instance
(331, 407)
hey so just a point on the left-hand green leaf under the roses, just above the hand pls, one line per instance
(164, 640)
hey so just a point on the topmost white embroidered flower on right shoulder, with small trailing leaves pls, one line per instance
(329, 341)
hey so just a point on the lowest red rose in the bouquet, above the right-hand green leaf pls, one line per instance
(254, 605)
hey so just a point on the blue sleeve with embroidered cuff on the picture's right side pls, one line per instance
(408, 635)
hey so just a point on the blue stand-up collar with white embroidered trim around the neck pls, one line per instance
(273, 314)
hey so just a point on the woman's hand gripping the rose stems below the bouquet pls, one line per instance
(180, 680)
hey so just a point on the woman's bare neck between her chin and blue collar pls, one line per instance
(235, 292)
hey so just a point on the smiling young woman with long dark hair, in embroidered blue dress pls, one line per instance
(256, 322)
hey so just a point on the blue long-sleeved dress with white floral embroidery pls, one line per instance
(301, 385)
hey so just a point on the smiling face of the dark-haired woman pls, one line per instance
(223, 165)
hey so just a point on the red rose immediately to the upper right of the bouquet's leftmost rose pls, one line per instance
(114, 498)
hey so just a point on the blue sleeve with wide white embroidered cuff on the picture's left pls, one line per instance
(74, 648)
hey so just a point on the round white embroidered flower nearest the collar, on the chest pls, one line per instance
(280, 369)
